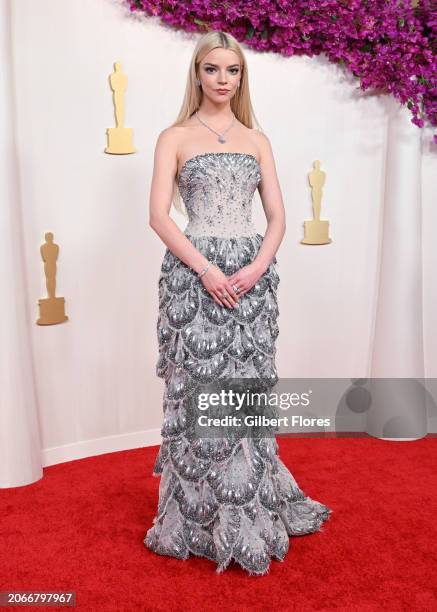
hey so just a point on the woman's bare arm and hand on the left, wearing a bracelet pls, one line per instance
(161, 195)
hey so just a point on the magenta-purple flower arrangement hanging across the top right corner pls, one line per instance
(389, 45)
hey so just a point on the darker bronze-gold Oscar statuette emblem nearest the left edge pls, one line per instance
(52, 308)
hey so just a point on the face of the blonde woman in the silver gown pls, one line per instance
(220, 69)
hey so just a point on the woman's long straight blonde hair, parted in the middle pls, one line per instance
(240, 104)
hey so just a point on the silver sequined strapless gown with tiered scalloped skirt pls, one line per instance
(217, 499)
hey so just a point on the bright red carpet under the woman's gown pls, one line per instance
(82, 526)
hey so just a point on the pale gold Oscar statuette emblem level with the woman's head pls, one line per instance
(120, 137)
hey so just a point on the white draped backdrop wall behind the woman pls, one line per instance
(361, 306)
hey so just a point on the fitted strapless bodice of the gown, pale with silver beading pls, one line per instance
(217, 190)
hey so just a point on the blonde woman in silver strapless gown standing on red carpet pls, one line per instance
(221, 498)
